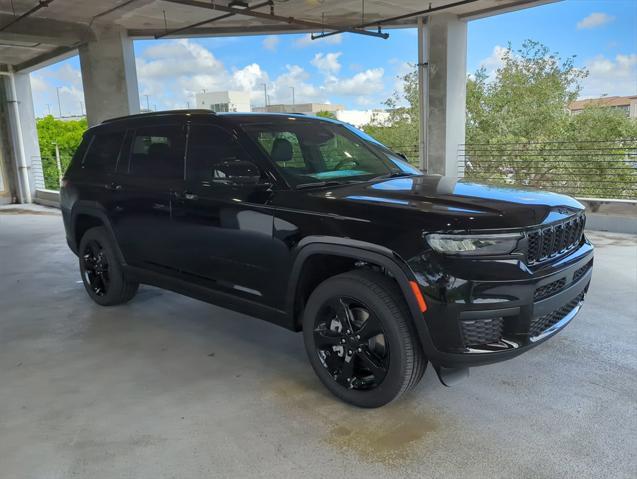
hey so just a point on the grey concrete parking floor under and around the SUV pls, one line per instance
(169, 387)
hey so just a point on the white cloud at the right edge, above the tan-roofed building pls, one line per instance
(609, 76)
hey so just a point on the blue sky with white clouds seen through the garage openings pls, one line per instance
(356, 71)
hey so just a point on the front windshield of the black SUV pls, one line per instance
(318, 151)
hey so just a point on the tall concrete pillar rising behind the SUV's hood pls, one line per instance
(446, 95)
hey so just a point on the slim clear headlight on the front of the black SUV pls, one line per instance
(474, 245)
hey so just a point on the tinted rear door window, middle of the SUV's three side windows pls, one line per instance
(158, 152)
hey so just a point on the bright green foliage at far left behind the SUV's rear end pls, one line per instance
(68, 135)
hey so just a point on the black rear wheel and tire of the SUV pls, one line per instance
(102, 273)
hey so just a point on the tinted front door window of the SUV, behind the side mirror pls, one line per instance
(212, 152)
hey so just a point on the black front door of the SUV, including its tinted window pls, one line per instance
(223, 216)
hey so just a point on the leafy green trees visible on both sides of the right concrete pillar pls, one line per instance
(519, 129)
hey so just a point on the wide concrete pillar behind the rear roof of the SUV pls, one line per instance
(109, 77)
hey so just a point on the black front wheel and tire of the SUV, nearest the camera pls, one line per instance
(377, 372)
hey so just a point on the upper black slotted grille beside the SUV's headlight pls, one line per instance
(552, 241)
